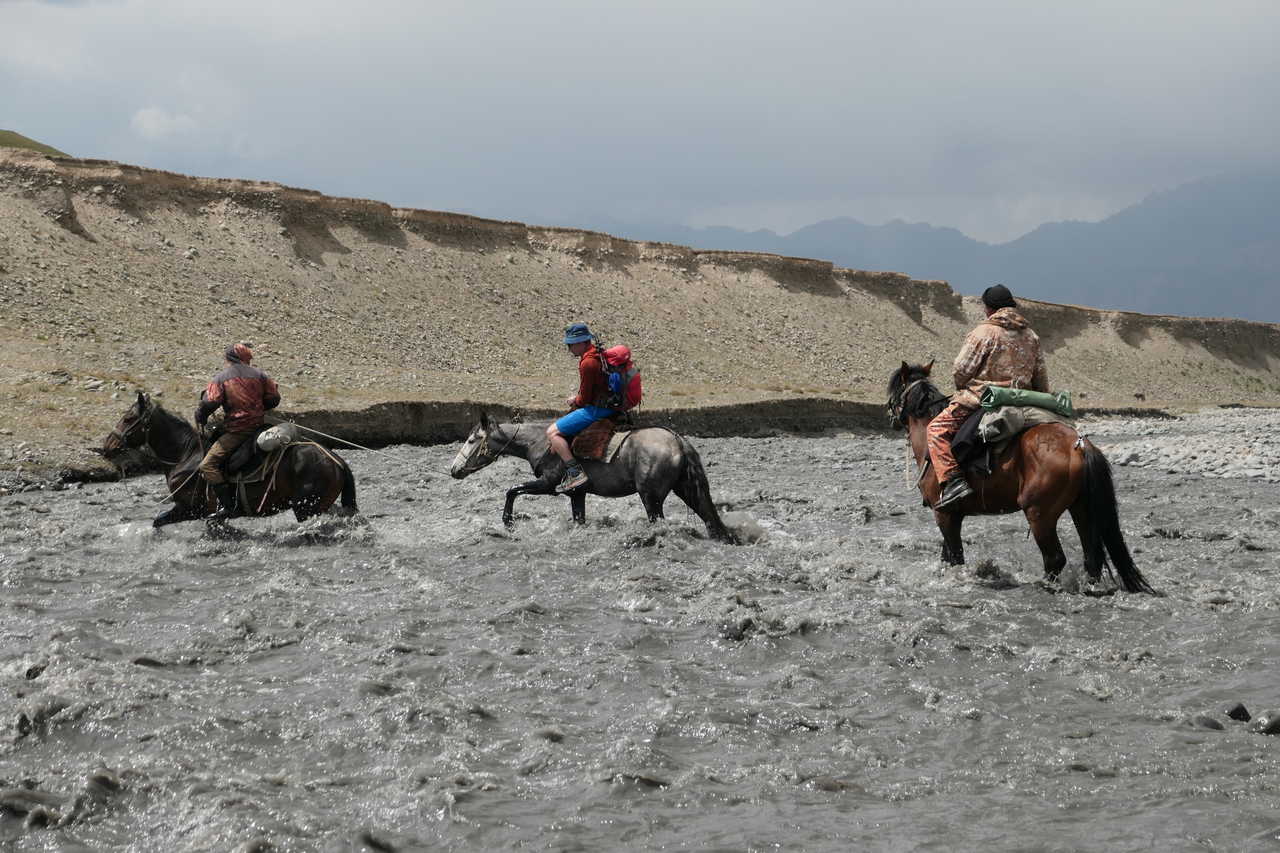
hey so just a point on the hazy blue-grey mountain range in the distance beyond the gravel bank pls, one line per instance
(1206, 249)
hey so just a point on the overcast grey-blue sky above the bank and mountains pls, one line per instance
(988, 116)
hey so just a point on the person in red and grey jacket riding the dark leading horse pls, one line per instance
(246, 394)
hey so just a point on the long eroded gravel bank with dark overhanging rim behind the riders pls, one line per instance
(116, 277)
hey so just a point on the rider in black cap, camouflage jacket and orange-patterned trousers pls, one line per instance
(1002, 352)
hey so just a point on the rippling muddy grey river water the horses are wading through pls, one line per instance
(424, 679)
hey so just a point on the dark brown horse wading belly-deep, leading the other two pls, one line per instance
(308, 480)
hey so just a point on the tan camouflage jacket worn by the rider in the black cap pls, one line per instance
(1003, 352)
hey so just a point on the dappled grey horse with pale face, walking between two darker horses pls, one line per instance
(653, 463)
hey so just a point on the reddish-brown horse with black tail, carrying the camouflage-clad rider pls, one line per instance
(1048, 471)
